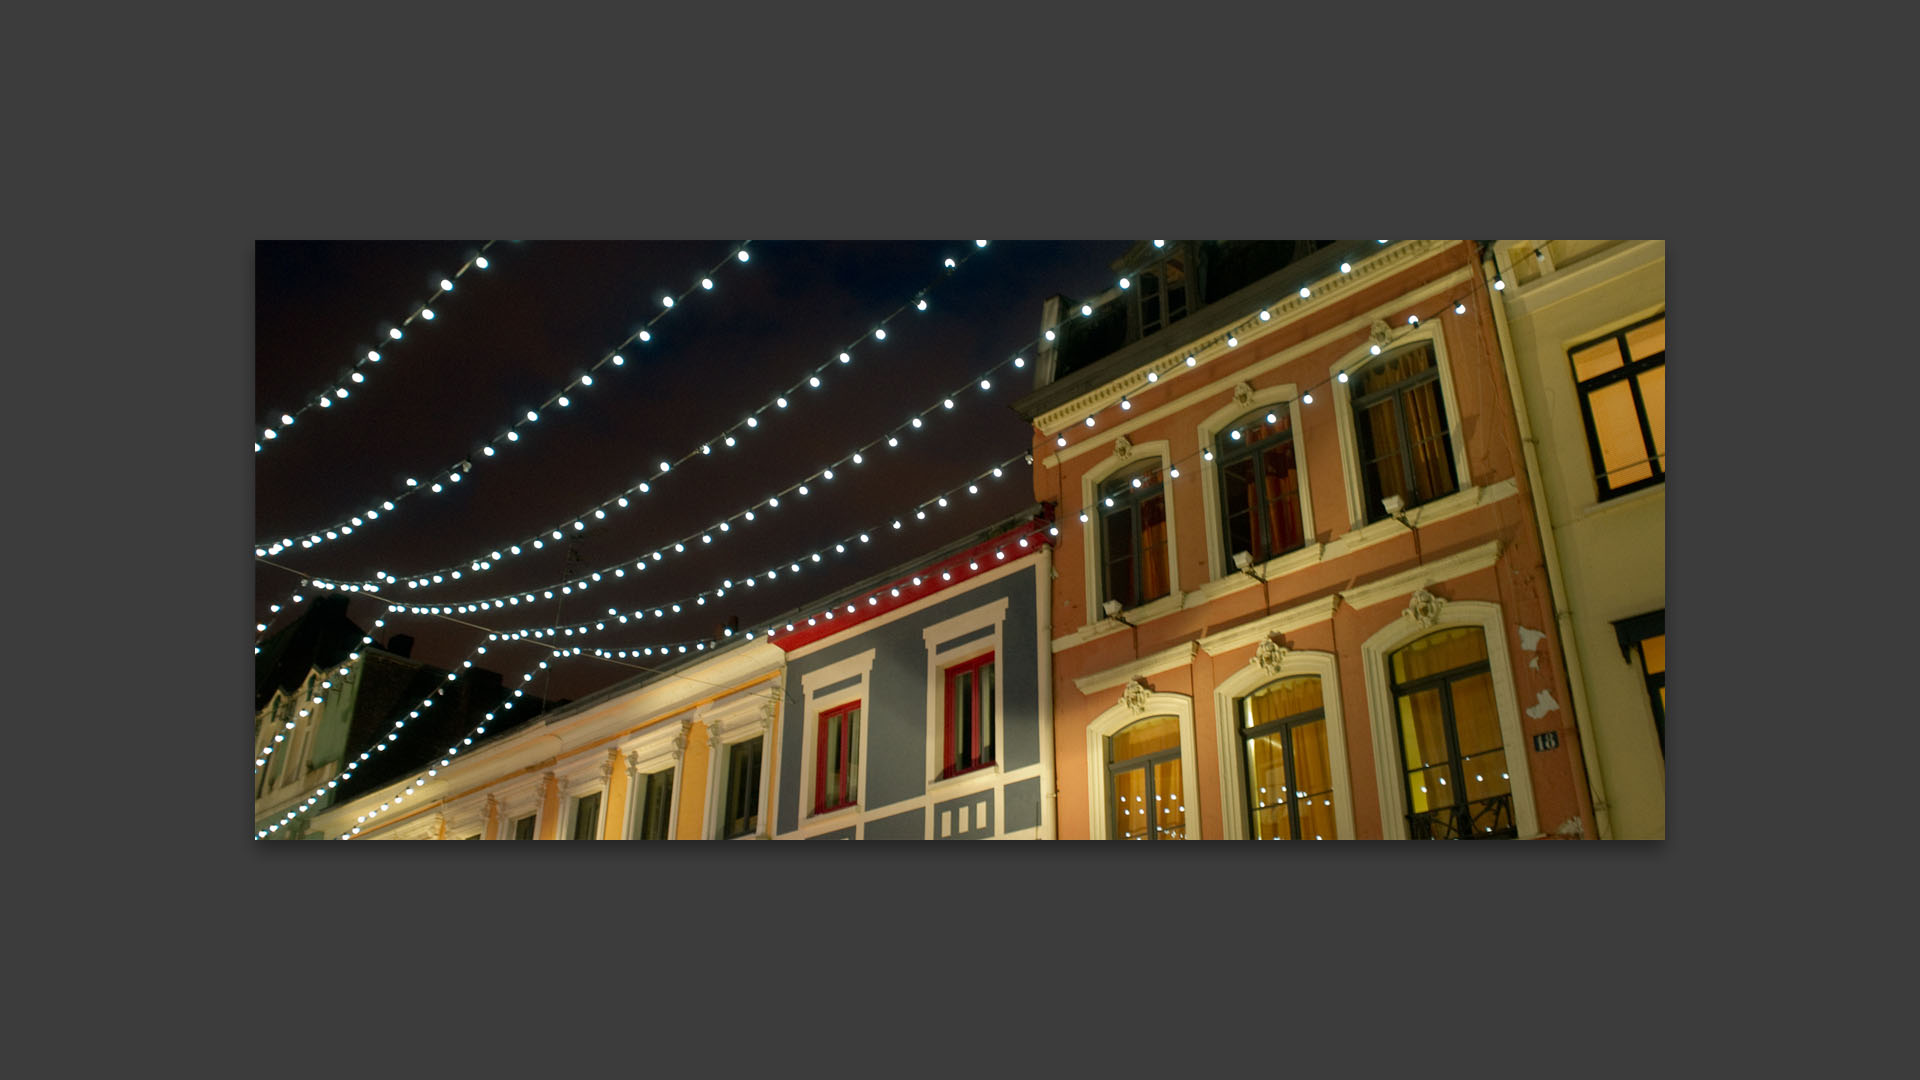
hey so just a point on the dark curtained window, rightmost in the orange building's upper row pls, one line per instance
(1401, 431)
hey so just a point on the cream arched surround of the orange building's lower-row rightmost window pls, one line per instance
(1391, 777)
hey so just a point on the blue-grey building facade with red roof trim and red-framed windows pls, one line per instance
(917, 706)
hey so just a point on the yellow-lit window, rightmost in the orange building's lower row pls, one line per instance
(1452, 756)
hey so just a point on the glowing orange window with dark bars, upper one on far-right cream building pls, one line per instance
(1623, 401)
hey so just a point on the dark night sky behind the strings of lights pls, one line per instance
(542, 314)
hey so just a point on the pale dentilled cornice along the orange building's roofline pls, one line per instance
(1205, 349)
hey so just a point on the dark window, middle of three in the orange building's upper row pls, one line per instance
(1260, 487)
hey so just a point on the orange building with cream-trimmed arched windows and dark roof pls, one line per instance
(1299, 581)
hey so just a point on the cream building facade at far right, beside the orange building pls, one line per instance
(1585, 324)
